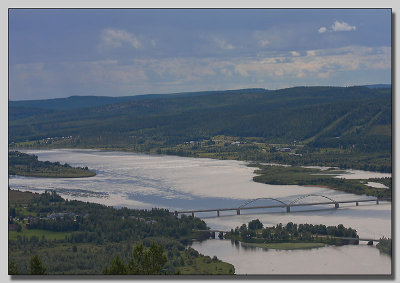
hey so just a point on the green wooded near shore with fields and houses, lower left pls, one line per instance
(74, 237)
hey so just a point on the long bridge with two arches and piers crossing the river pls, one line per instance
(287, 206)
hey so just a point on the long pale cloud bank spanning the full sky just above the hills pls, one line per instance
(163, 75)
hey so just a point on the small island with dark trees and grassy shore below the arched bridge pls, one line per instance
(292, 236)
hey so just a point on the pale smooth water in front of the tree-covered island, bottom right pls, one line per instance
(360, 259)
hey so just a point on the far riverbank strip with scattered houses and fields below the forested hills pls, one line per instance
(249, 149)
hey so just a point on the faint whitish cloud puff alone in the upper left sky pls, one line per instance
(113, 38)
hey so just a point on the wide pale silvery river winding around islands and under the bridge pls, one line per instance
(178, 183)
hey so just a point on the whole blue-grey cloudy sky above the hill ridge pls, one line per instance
(112, 52)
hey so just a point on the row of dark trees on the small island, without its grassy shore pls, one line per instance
(254, 232)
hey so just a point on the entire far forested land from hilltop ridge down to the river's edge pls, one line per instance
(348, 127)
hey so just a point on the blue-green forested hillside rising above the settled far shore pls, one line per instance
(319, 117)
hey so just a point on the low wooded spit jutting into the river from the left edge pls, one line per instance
(28, 165)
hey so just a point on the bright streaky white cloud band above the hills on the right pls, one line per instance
(318, 63)
